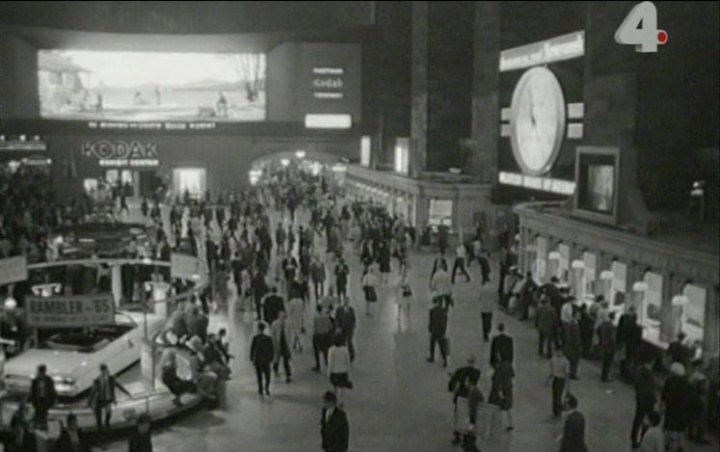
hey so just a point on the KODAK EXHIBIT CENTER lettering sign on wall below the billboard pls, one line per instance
(122, 153)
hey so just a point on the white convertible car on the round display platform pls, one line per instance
(73, 356)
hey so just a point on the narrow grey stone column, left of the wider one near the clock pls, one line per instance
(419, 87)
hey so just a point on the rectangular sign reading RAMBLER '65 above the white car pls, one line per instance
(70, 312)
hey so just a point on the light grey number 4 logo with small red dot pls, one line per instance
(640, 28)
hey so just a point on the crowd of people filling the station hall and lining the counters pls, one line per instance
(280, 270)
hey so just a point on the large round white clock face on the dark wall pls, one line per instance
(537, 121)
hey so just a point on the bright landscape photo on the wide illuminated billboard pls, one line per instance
(151, 86)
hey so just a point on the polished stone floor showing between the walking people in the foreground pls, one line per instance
(400, 402)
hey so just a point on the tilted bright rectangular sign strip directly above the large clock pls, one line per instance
(565, 47)
